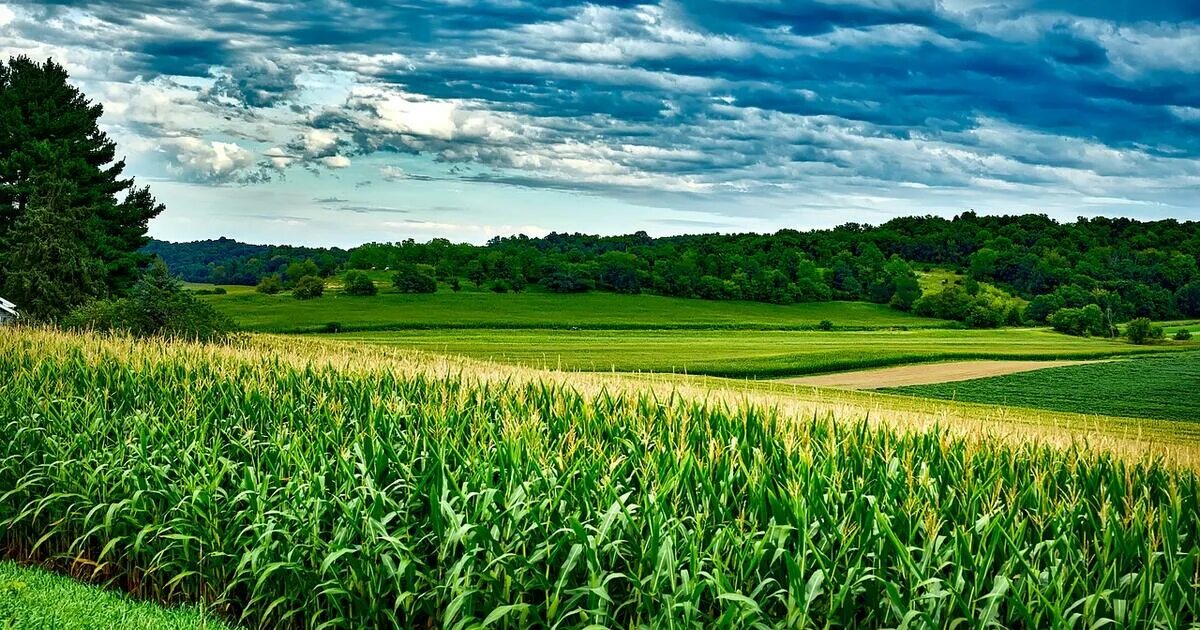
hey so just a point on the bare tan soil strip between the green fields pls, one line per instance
(923, 374)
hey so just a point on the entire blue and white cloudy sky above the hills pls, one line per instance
(341, 122)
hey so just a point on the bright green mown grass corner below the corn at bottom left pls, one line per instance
(35, 599)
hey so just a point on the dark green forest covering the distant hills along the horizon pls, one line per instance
(1125, 268)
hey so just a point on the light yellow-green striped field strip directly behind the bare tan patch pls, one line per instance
(740, 353)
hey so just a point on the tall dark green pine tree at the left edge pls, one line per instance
(62, 190)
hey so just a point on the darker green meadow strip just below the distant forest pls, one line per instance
(447, 310)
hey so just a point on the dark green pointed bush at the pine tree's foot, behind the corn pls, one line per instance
(158, 307)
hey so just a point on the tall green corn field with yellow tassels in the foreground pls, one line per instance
(279, 490)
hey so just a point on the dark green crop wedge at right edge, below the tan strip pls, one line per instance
(1147, 387)
